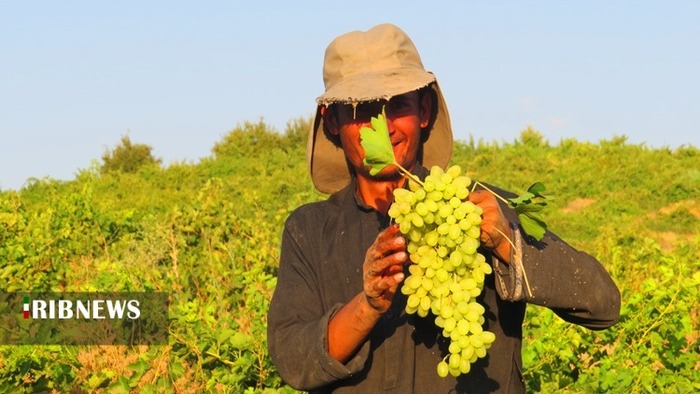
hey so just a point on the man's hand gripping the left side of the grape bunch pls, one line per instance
(383, 268)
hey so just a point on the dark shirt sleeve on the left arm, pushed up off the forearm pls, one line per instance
(298, 324)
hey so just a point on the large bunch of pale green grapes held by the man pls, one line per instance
(447, 273)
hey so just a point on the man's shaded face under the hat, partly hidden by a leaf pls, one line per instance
(406, 115)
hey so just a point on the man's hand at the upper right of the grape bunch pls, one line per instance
(494, 224)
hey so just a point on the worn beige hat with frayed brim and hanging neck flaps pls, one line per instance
(367, 66)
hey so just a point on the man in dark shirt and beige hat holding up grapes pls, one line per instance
(337, 321)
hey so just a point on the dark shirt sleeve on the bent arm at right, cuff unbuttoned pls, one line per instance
(553, 274)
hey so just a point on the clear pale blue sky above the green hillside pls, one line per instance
(75, 76)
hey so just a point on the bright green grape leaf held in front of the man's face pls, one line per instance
(377, 144)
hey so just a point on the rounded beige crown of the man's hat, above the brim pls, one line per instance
(382, 48)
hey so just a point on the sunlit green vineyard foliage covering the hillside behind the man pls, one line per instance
(208, 233)
